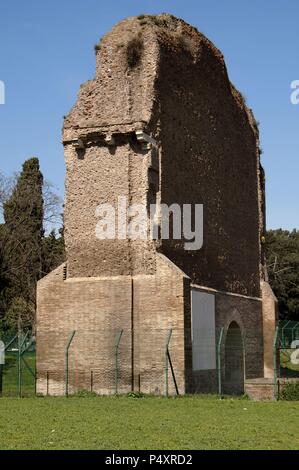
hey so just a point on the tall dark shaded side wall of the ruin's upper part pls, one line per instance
(209, 156)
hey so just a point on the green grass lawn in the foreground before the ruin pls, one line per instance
(147, 423)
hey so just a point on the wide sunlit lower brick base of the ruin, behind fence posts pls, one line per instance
(98, 309)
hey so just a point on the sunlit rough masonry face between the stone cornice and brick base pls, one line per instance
(101, 176)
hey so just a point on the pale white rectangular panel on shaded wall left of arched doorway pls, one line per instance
(203, 330)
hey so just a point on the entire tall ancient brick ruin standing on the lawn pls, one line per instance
(160, 122)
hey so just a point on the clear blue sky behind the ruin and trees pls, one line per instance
(46, 52)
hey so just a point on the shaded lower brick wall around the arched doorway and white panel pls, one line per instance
(224, 310)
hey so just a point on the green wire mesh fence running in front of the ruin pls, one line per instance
(149, 360)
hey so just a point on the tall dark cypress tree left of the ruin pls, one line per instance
(23, 216)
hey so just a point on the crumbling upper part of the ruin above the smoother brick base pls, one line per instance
(180, 93)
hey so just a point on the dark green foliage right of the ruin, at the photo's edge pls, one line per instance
(282, 253)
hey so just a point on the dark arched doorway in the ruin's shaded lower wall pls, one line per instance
(234, 361)
